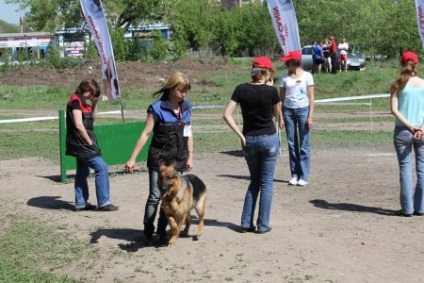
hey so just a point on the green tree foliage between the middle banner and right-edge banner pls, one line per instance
(377, 26)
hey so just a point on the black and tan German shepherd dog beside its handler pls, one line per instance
(180, 194)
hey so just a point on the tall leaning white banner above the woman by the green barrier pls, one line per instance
(96, 20)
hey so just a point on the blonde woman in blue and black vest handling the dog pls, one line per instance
(169, 118)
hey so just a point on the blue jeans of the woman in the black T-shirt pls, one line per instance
(261, 154)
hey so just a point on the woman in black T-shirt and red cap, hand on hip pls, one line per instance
(259, 103)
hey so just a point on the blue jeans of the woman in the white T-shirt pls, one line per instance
(298, 140)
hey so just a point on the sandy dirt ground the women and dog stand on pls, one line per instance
(339, 228)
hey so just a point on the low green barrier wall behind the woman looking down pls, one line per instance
(116, 142)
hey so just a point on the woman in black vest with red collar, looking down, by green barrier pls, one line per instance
(81, 142)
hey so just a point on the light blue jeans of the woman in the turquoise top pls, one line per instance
(403, 142)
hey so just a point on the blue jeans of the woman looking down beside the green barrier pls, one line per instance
(101, 181)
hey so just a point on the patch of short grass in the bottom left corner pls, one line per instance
(32, 250)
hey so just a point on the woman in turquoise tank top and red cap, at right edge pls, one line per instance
(407, 106)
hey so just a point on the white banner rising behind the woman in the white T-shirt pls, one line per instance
(285, 24)
